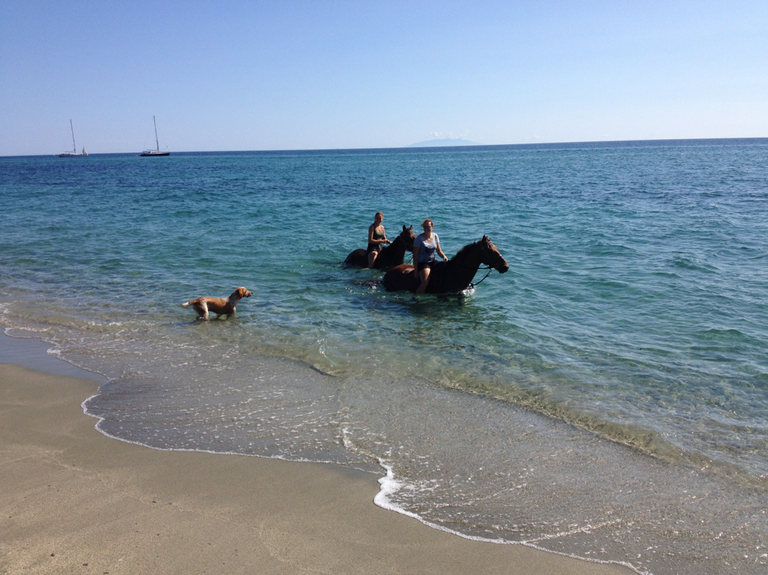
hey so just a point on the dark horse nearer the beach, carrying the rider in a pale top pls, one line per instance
(453, 276)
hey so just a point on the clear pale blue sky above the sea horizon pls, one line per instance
(315, 74)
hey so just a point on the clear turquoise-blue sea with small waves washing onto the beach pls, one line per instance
(606, 398)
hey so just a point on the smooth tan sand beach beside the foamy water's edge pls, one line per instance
(76, 500)
